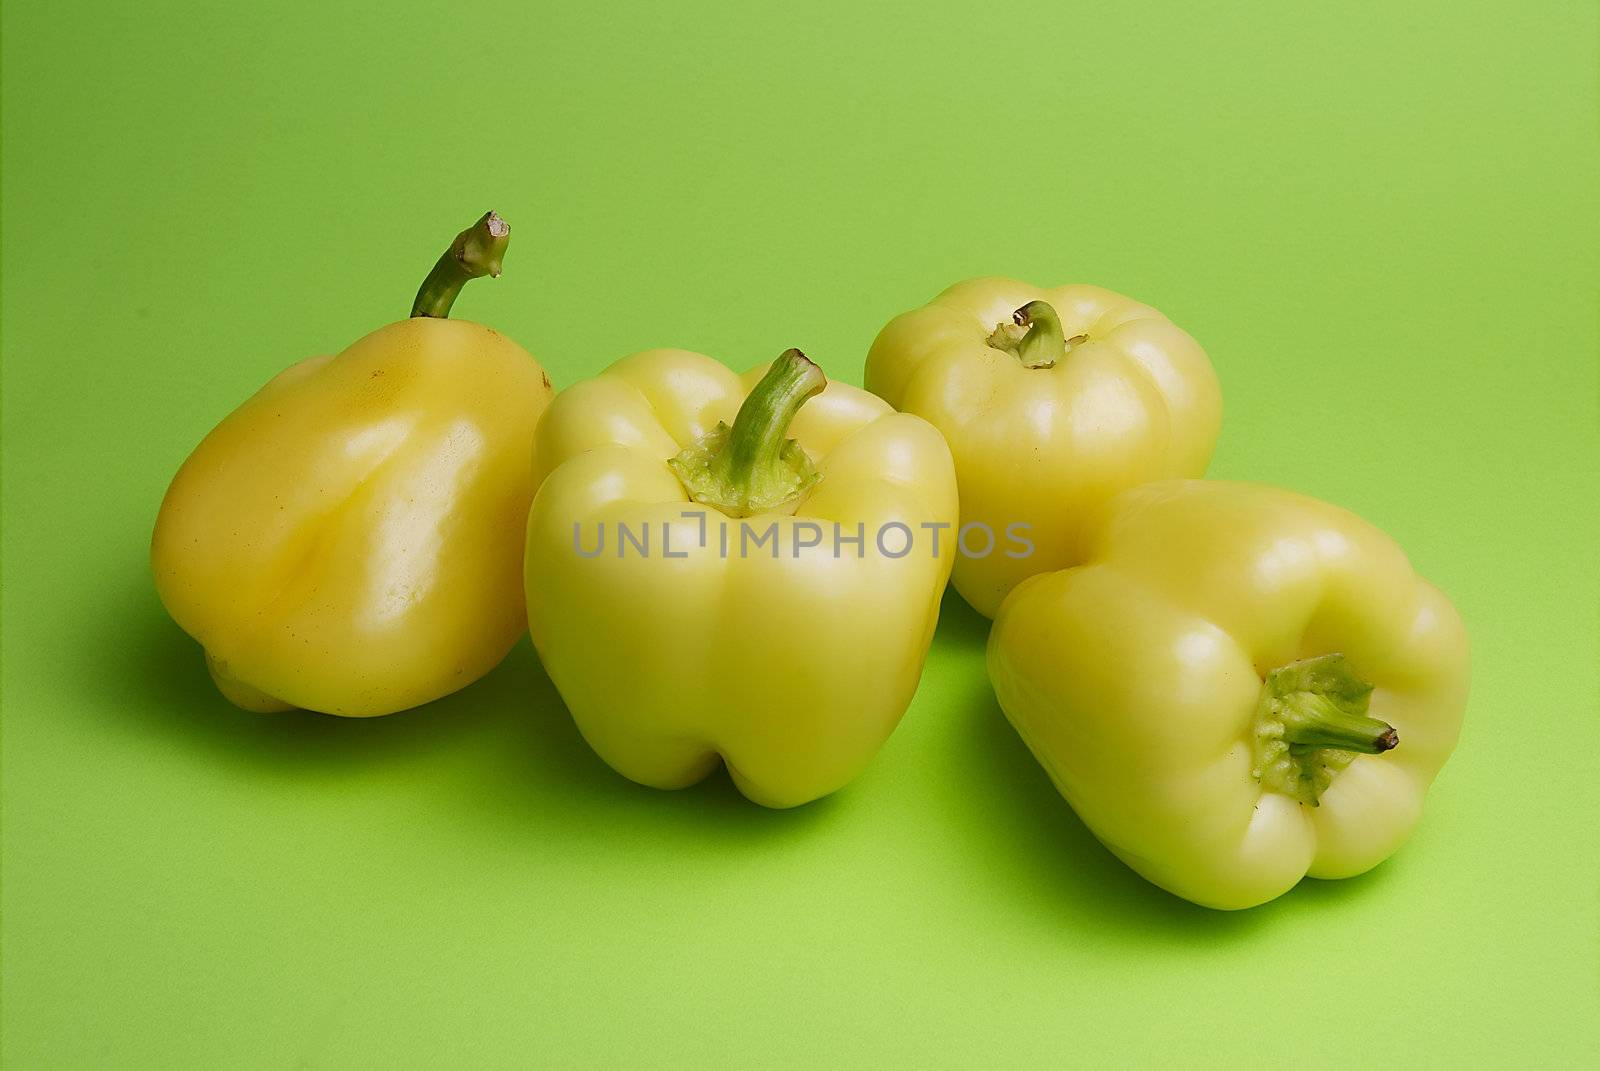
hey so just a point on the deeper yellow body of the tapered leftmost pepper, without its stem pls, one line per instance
(350, 540)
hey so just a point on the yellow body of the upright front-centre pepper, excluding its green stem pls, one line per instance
(791, 672)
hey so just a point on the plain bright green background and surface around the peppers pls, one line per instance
(1378, 219)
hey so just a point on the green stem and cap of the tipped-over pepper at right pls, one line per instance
(1311, 723)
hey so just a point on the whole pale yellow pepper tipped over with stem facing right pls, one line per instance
(1239, 688)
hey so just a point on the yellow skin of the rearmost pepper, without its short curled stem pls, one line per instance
(1046, 447)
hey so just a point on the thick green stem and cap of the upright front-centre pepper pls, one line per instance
(754, 467)
